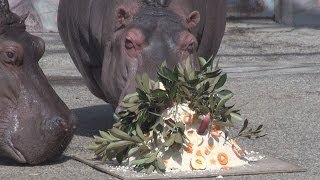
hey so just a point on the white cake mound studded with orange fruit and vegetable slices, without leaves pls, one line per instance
(207, 150)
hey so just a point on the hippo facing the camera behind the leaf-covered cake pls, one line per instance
(112, 41)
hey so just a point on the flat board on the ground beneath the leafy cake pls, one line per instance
(267, 165)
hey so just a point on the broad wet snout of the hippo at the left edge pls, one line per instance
(37, 144)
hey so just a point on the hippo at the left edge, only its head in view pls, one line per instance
(35, 125)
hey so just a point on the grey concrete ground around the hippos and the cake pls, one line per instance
(274, 72)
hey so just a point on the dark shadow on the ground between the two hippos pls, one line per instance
(93, 118)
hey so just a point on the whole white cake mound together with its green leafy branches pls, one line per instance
(182, 122)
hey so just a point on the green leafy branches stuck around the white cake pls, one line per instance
(141, 126)
